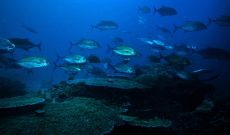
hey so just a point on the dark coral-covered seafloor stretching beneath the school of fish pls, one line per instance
(152, 103)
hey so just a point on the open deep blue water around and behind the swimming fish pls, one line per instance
(59, 21)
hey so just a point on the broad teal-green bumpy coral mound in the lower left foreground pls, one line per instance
(78, 116)
